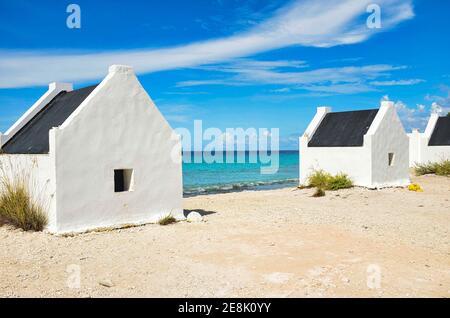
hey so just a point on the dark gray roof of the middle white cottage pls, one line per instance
(343, 129)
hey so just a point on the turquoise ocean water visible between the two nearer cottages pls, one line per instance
(205, 178)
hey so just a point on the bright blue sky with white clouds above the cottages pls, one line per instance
(256, 63)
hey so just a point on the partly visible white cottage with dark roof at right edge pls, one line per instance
(433, 145)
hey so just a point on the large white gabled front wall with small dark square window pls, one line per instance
(116, 127)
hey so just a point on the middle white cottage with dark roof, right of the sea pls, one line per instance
(370, 146)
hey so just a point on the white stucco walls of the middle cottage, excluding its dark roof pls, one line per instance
(368, 165)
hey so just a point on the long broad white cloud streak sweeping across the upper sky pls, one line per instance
(318, 23)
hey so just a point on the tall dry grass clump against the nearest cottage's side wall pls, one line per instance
(17, 205)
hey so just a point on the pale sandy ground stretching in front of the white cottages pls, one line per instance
(280, 243)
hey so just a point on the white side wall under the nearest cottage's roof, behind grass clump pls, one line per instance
(38, 171)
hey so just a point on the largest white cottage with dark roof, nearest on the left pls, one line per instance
(100, 156)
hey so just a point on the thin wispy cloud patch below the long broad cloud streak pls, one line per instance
(290, 75)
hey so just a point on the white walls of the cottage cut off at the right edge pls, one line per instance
(420, 152)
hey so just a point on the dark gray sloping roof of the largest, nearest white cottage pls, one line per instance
(33, 137)
